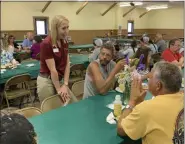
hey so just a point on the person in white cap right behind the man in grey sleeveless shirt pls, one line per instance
(98, 43)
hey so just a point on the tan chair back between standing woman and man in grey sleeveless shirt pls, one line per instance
(78, 89)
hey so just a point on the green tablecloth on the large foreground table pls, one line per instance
(78, 123)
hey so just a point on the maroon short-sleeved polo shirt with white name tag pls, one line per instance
(60, 55)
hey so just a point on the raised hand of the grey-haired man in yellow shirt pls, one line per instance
(137, 93)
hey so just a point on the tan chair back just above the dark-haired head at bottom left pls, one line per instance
(29, 112)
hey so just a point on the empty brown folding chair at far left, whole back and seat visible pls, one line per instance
(12, 91)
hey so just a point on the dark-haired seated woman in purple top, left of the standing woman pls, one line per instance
(35, 49)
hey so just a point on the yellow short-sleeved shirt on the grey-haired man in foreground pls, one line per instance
(154, 120)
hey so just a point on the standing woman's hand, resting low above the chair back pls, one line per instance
(63, 91)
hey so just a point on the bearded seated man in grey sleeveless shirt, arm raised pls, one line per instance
(101, 72)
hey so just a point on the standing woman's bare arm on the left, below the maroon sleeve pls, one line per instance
(54, 74)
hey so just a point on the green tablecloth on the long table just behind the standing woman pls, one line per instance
(34, 71)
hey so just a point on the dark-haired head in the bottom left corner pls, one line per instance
(16, 129)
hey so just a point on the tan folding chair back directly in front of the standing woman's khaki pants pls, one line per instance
(51, 102)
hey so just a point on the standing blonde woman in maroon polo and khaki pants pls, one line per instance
(54, 62)
